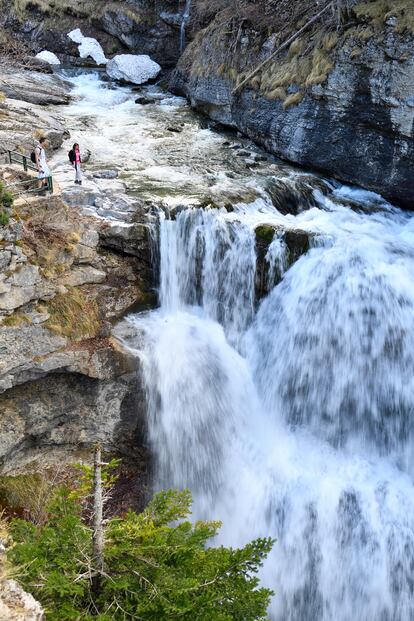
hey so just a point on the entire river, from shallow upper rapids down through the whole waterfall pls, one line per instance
(292, 417)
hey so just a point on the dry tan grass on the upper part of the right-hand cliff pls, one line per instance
(246, 36)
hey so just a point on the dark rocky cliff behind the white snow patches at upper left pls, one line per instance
(138, 26)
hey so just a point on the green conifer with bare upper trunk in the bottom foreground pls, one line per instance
(155, 567)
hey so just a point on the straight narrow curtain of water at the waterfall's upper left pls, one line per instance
(209, 262)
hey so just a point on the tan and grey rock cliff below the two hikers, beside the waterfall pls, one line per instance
(64, 381)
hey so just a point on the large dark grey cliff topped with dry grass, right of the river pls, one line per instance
(339, 100)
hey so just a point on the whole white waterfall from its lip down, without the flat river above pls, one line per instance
(297, 422)
